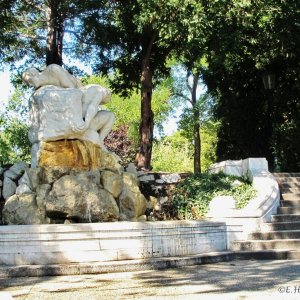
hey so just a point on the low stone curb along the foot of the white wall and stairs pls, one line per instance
(139, 265)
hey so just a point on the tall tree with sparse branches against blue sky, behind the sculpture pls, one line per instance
(34, 30)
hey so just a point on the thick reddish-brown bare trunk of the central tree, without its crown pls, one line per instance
(143, 157)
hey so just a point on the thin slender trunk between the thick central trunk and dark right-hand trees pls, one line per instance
(196, 119)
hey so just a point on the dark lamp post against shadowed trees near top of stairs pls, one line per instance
(269, 85)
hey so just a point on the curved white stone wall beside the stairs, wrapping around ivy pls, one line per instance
(240, 223)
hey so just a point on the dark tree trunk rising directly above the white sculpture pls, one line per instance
(55, 28)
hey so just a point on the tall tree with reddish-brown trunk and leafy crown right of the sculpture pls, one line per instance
(135, 40)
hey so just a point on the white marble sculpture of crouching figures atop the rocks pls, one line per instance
(61, 108)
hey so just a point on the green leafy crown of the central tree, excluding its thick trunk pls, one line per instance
(123, 35)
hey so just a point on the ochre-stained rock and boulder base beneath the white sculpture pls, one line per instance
(75, 182)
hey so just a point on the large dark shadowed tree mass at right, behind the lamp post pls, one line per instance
(249, 38)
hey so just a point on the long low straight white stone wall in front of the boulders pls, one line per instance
(96, 242)
